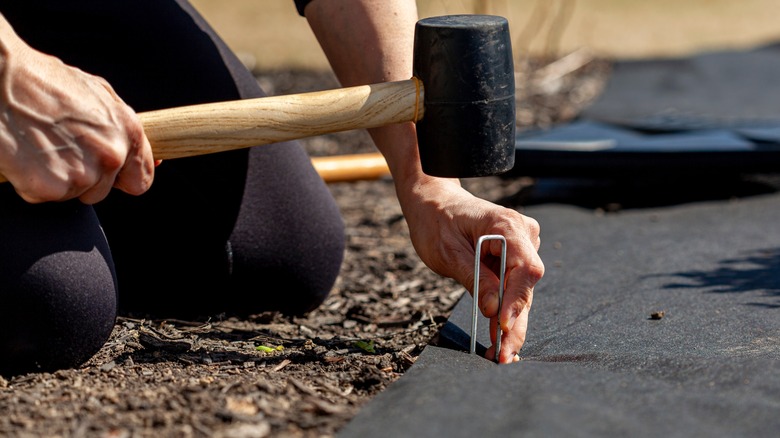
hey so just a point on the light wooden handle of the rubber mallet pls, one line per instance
(222, 126)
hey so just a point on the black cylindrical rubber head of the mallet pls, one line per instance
(465, 65)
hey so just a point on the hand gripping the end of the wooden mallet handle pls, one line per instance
(65, 133)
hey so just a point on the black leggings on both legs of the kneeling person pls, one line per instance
(230, 233)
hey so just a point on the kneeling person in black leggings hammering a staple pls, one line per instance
(93, 226)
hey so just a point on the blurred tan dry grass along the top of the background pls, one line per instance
(269, 34)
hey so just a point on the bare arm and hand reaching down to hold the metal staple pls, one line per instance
(370, 41)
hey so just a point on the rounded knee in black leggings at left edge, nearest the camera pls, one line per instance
(54, 318)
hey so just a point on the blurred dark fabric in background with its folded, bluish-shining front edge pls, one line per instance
(711, 114)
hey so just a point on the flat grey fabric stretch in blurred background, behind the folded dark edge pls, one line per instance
(715, 89)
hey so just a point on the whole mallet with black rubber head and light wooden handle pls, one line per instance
(461, 97)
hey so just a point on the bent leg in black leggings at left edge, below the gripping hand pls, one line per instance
(56, 285)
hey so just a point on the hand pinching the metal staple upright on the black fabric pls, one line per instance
(445, 222)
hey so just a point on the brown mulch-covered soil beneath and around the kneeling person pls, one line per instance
(276, 375)
